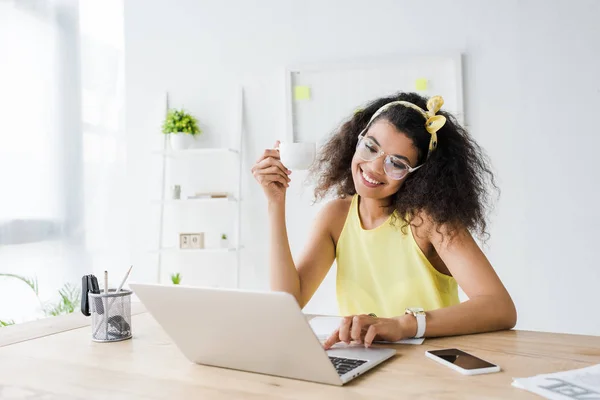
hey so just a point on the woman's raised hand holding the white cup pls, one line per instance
(272, 175)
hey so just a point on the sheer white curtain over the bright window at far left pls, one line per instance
(62, 147)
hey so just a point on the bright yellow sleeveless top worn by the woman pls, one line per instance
(383, 271)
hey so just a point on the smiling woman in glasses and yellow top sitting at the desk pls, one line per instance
(410, 187)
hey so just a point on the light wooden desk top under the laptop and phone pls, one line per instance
(57, 360)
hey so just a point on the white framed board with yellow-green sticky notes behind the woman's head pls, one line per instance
(321, 97)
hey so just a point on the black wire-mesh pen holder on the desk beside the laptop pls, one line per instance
(111, 315)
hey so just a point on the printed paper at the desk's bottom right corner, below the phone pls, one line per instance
(578, 384)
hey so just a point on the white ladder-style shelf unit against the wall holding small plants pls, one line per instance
(167, 153)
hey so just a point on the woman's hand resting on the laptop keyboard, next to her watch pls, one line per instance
(366, 328)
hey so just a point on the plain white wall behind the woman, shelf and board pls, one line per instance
(532, 89)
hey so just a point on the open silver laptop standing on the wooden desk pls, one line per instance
(260, 332)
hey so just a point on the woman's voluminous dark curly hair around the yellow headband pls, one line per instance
(452, 185)
